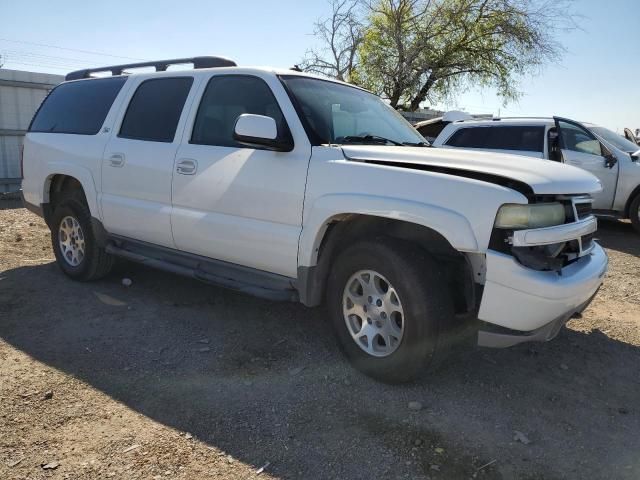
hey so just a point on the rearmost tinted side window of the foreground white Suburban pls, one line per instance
(77, 107)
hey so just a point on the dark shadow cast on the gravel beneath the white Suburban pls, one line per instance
(265, 382)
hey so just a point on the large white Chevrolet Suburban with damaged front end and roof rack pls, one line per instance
(291, 187)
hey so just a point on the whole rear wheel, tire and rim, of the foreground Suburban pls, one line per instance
(76, 250)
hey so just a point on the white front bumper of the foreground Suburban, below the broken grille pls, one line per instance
(533, 303)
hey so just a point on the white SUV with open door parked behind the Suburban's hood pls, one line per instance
(610, 157)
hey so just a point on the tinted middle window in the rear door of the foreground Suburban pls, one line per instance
(154, 110)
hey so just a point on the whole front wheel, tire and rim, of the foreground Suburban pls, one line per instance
(388, 302)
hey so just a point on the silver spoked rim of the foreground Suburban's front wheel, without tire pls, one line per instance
(373, 313)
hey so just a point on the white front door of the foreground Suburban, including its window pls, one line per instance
(235, 203)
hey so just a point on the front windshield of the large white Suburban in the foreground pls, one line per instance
(340, 114)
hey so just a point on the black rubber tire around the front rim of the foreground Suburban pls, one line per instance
(425, 297)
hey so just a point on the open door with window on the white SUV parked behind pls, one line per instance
(580, 148)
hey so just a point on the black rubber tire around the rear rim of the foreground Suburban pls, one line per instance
(96, 263)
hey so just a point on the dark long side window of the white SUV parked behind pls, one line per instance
(523, 138)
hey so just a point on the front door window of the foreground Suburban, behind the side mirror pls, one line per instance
(225, 99)
